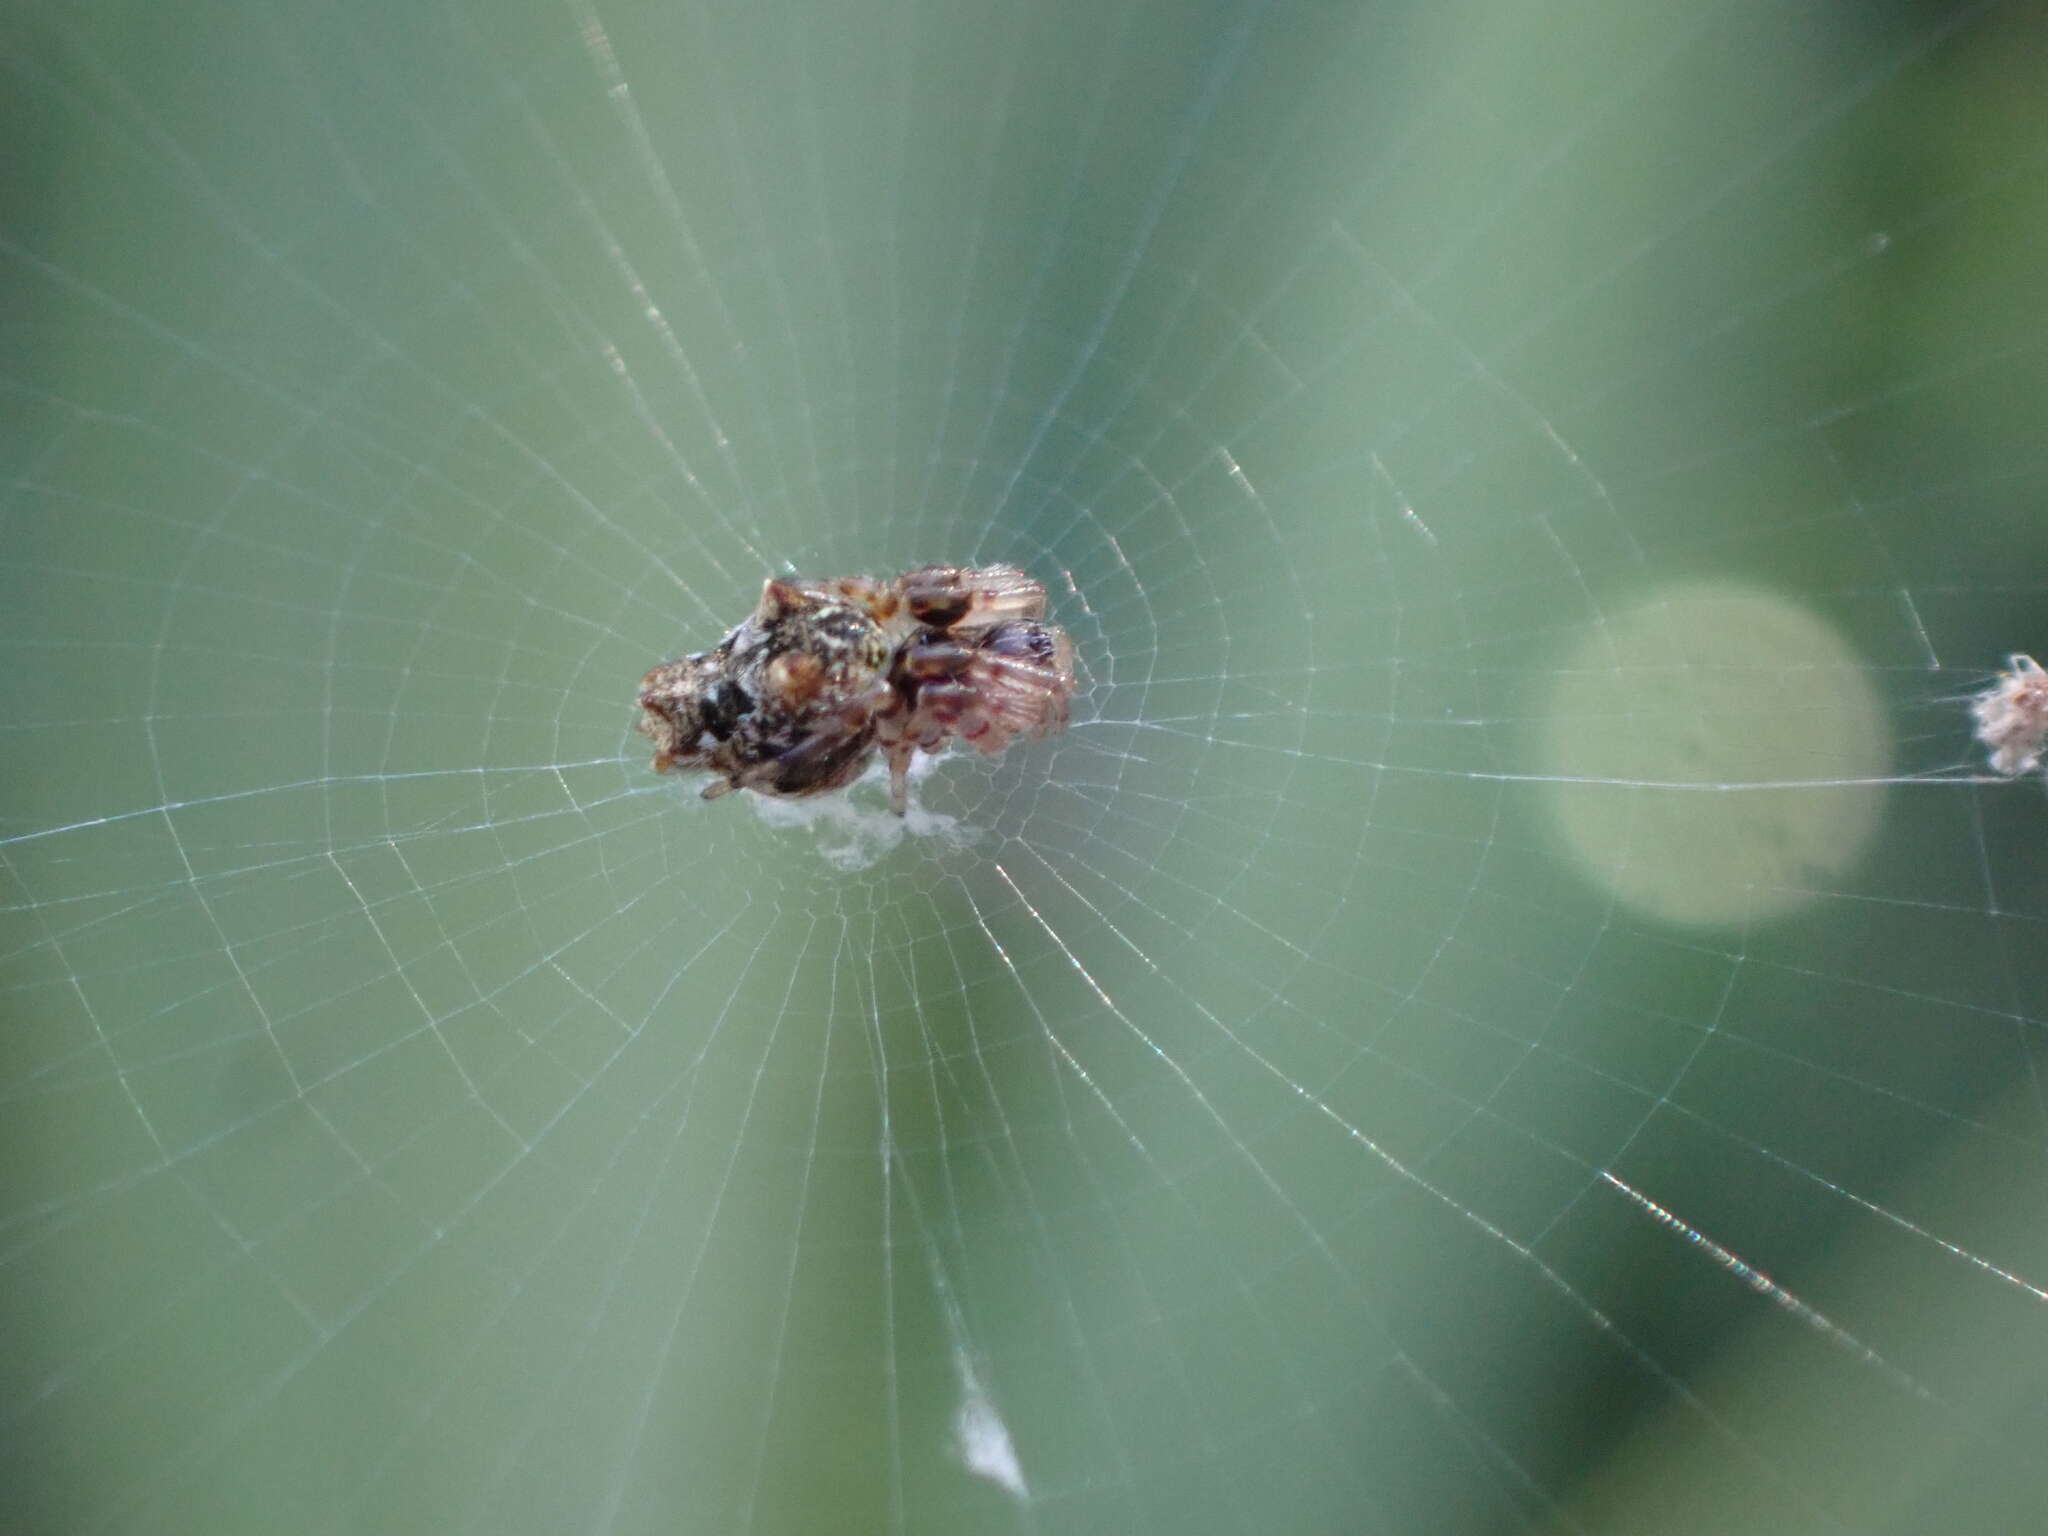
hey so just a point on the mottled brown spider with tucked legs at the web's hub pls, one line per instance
(824, 673)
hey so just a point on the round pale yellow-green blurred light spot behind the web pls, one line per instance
(1717, 755)
